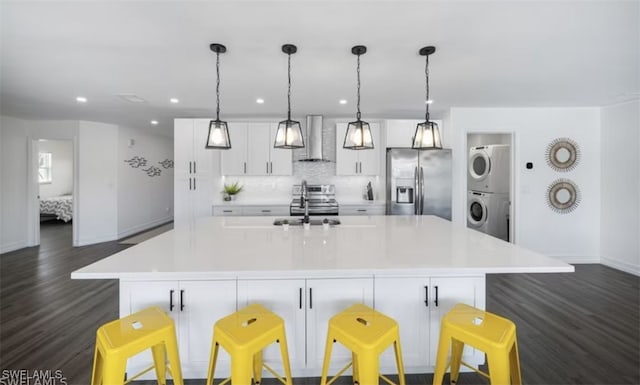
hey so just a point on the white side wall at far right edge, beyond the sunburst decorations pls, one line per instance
(620, 188)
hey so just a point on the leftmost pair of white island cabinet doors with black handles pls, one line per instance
(194, 306)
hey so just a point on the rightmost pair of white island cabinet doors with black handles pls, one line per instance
(418, 304)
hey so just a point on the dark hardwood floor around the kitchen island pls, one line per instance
(580, 328)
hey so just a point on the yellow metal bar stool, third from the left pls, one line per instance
(367, 333)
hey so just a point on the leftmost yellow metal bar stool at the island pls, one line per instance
(118, 340)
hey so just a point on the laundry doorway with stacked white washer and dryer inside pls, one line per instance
(490, 184)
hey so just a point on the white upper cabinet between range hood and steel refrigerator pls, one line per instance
(357, 162)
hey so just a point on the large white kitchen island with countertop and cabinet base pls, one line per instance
(413, 268)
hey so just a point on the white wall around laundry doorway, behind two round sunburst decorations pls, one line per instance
(574, 237)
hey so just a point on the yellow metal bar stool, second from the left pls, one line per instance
(244, 334)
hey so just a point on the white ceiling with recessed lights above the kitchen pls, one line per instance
(489, 54)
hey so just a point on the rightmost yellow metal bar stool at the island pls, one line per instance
(492, 334)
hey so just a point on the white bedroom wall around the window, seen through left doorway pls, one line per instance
(61, 167)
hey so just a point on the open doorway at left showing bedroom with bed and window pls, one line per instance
(52, 187)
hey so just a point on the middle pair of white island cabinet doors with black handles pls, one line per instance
(306, 306)
